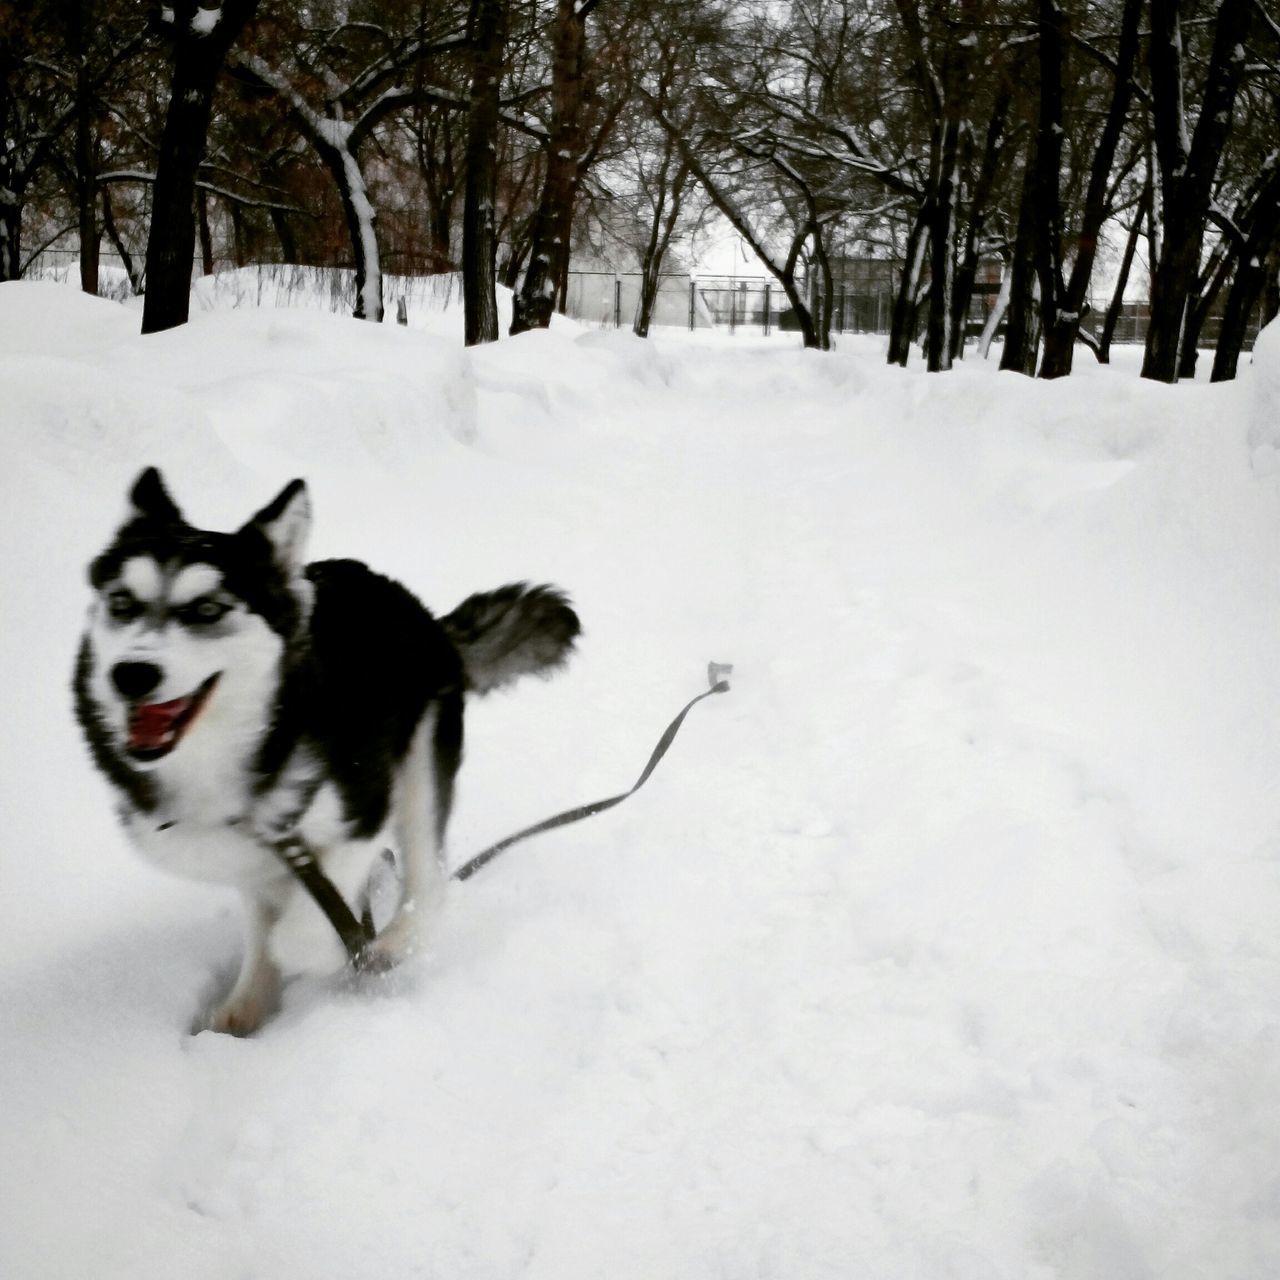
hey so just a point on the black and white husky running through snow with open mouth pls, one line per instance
(236, 696)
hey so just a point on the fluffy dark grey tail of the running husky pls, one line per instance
(519, 630)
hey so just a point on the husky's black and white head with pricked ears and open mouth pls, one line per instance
(189, 627)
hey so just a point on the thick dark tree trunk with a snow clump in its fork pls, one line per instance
(172, 241)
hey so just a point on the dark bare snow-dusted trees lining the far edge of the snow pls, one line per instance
(1050, 145)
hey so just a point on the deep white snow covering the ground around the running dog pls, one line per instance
(945, 947)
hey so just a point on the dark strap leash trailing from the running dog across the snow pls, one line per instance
(356, 935)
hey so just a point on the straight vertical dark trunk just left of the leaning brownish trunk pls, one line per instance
(488, 29)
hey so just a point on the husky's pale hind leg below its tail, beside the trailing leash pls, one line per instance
(423, 804)
